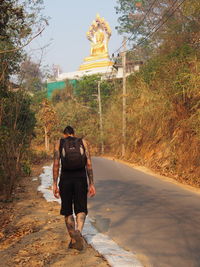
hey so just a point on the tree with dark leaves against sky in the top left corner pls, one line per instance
(20, 22)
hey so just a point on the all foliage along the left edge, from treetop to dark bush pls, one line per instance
(20, 22)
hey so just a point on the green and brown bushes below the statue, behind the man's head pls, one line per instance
(79, 107)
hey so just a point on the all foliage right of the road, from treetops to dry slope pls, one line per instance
(163, 102)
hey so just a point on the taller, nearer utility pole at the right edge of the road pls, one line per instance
(124, 99)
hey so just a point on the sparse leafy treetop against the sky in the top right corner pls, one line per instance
(179, 22)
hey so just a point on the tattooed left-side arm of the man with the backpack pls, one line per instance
(56, 166)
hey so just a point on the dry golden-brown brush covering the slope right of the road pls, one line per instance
(163, 118)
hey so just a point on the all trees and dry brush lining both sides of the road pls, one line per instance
(163, 98)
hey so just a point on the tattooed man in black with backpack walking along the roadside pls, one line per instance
(76, 167)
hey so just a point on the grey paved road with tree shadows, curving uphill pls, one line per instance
(147, 215)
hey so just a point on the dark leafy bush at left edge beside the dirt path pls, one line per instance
(16, 127)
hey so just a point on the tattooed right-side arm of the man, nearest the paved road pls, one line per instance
(92, 190)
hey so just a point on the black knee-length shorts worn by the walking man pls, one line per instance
(73, 193)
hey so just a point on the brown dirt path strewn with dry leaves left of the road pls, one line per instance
(32, 233)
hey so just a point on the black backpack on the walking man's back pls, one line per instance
(72, 153)
